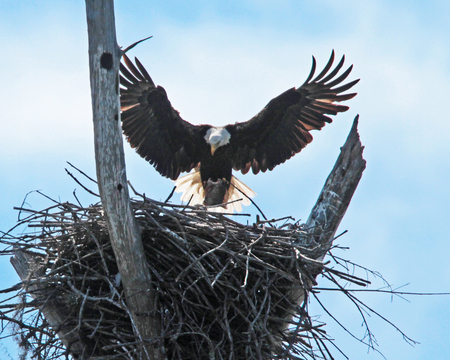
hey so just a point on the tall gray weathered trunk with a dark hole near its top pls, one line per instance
(104, 57)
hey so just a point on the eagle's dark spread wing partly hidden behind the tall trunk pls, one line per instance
(153, 127)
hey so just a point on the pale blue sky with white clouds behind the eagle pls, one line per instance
(221, 62)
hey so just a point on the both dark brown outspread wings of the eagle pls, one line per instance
(277, 133)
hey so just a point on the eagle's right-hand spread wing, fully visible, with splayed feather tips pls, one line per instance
(282, 128)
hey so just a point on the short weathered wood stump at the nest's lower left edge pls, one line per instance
(27, 267)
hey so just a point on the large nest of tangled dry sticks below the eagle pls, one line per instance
(224, 290)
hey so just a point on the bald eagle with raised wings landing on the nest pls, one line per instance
(172, 145)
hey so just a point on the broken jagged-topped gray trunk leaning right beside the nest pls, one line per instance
(337, 192)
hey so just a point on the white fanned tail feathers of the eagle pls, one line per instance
(191, 187)
